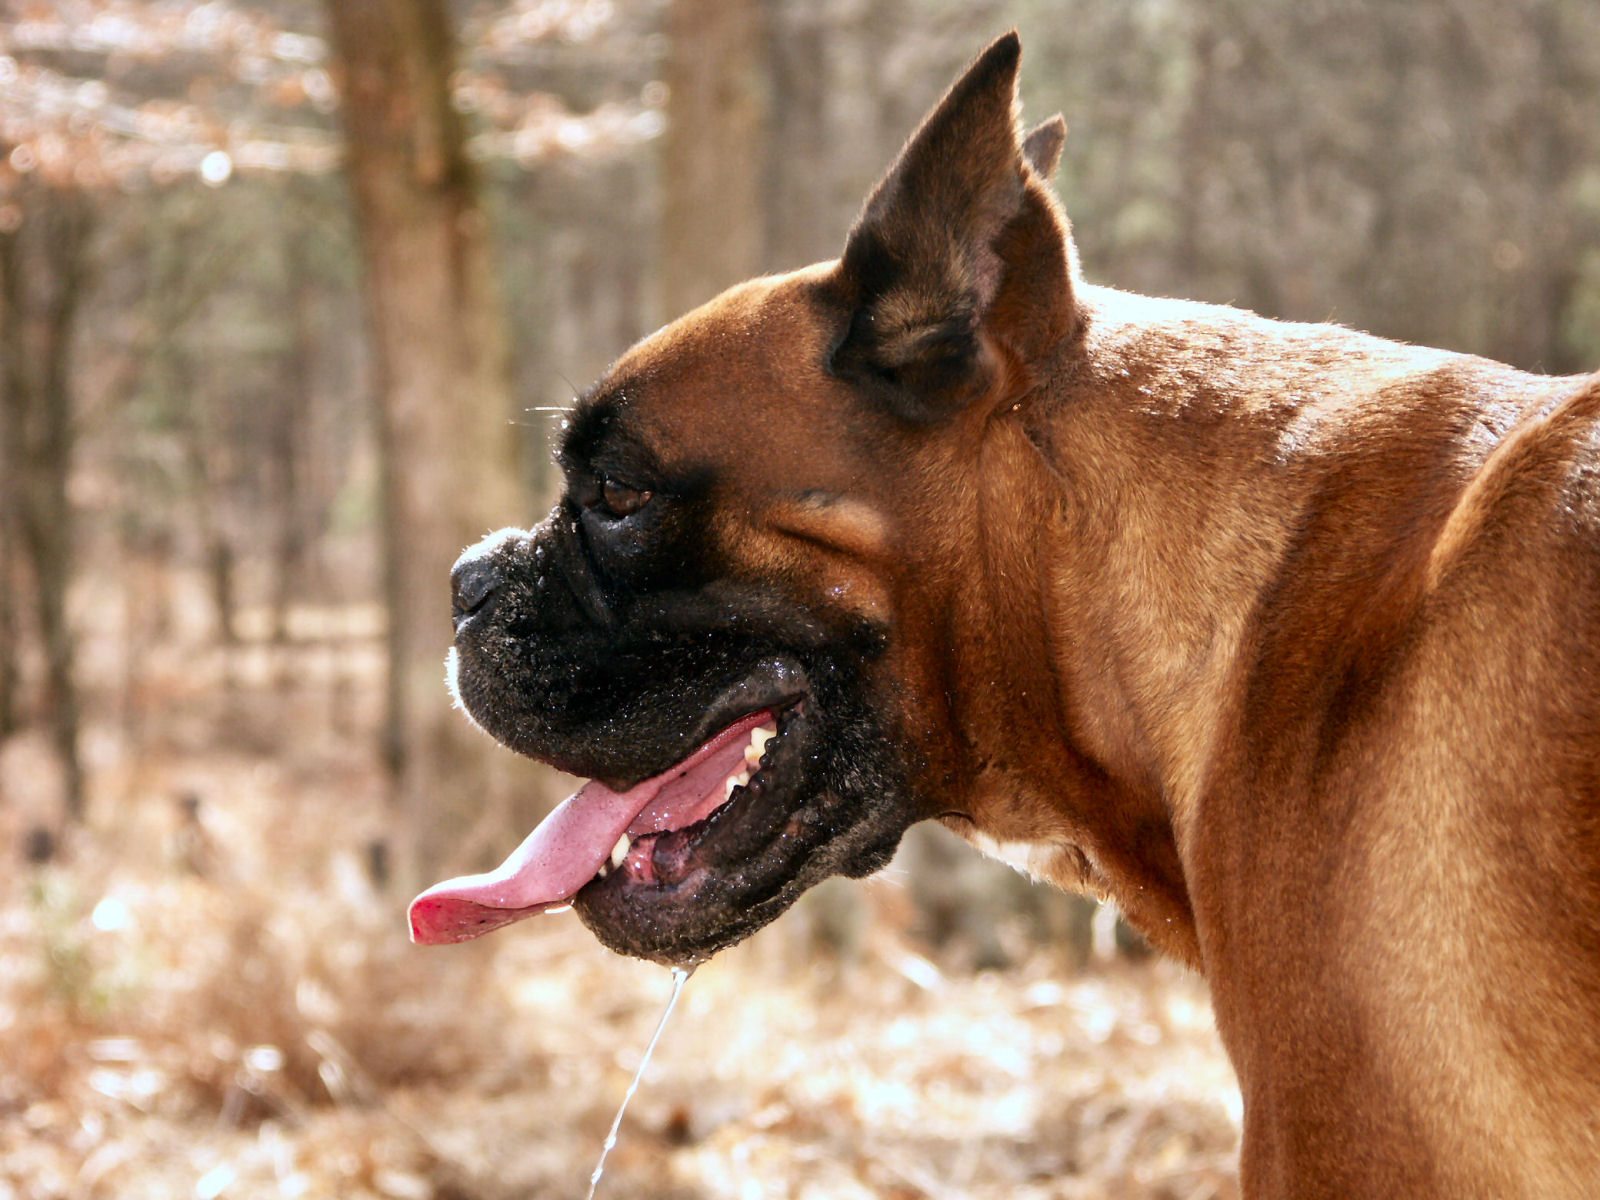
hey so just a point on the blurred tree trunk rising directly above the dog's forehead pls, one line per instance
(714, 151)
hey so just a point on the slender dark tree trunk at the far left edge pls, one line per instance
(42, 265)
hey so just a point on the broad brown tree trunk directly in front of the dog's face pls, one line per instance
(441, 385)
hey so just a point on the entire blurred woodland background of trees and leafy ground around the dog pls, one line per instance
(292, 295)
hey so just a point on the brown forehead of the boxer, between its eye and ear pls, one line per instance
(742, 375)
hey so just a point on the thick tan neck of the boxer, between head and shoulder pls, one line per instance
(1201, 468)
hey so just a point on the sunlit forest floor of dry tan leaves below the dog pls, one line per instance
(210, 999)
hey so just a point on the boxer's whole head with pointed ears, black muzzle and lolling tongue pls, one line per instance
(738, 618)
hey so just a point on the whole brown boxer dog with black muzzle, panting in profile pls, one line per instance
(1284, 638)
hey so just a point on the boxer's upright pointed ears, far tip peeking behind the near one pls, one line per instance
(959, 252)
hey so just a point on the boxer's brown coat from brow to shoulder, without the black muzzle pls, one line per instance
(1282, 636)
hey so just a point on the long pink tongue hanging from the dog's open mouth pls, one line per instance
(574, 842)
